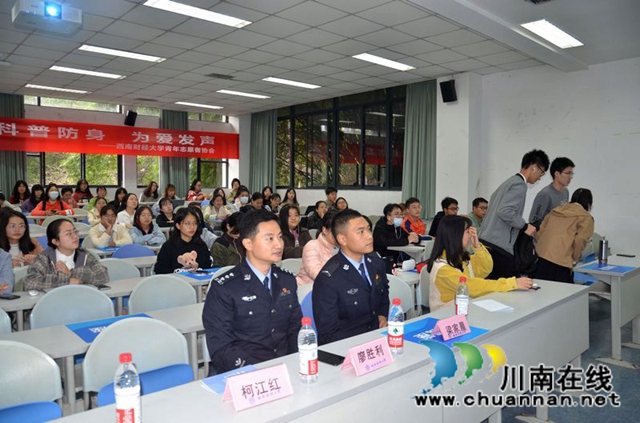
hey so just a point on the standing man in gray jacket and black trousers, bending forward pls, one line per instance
(503, 222)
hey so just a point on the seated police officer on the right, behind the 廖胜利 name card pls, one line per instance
(351, 292)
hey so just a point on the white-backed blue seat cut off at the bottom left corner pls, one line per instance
(34, 381)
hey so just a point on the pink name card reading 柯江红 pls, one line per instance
(258, 387)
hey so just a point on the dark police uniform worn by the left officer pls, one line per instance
(245, 324)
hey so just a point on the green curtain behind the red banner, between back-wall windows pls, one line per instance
(175, 170)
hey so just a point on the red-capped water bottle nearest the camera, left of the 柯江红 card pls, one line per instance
(126, 385)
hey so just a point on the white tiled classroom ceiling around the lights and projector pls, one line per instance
(301, 40)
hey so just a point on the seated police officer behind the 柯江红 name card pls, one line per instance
(252, 313)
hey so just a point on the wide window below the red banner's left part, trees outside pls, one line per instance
(68, 168)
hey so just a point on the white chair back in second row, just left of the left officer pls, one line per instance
(160, 291)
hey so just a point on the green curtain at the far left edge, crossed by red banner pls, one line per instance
(13, 163)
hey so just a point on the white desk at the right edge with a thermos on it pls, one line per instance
(625, 304)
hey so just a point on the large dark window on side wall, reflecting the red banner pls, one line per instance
(353, 141)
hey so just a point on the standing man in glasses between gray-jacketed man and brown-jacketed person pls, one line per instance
(556, 192)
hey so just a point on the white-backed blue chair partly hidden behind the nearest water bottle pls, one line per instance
(158, 350)
